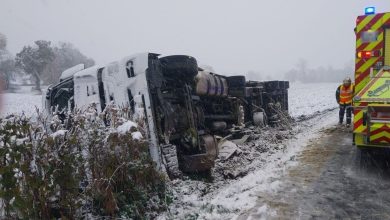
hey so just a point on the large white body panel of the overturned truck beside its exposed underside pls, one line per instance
(125, 83)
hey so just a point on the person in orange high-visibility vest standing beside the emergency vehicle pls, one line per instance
(344, 95)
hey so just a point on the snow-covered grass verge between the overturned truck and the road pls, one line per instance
(232, 198)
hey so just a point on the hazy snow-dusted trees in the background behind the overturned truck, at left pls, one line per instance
(43, 61)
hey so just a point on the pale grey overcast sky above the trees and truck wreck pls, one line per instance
(231, 36)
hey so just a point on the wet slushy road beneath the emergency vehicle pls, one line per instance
(329, 182)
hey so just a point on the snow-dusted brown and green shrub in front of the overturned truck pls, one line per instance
(75, 166)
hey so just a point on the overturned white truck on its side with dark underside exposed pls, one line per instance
(184, 106)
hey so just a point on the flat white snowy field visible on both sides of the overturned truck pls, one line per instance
(304, 99)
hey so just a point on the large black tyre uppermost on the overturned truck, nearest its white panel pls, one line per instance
(179, 66)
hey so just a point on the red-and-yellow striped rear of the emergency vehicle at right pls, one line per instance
(372, 81)
